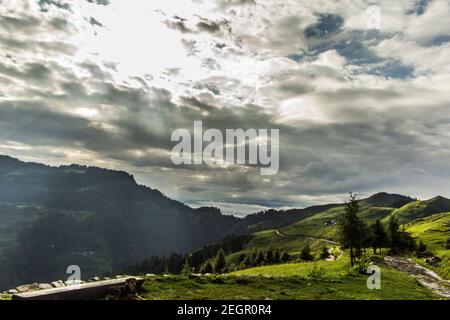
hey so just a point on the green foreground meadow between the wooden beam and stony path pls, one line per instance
(286, 281)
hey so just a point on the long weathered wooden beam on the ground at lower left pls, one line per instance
(90, 290)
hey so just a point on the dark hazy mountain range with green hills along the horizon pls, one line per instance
(102, 220)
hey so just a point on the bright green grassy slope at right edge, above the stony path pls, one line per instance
(434, 231)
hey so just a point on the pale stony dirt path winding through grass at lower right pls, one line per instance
(424, 276)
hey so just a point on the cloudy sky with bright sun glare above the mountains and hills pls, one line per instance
(361, 106)
